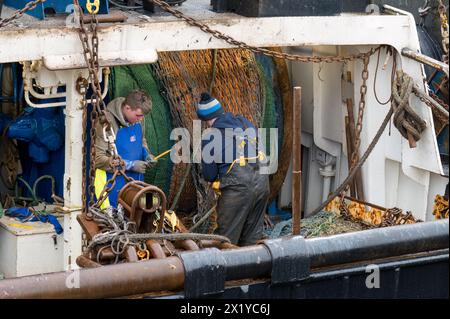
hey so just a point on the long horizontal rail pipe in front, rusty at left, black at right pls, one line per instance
(167, 274)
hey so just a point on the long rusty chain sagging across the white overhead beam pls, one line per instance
(279, 55)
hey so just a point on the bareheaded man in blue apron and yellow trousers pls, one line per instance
(126, 115)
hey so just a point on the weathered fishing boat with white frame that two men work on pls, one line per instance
(353, 96)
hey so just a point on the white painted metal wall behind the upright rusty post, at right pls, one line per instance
(388, 181)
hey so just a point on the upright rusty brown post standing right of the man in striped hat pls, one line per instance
(297, 161)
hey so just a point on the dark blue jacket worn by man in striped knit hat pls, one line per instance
(228, 144)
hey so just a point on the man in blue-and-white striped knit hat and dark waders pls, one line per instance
(230, 161)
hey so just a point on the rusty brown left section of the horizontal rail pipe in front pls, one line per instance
(103, 282)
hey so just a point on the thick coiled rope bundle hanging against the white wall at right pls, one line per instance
(406, 120)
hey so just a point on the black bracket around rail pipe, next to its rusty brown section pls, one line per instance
(204, 272)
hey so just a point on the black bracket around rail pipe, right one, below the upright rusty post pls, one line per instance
(290, 260)
